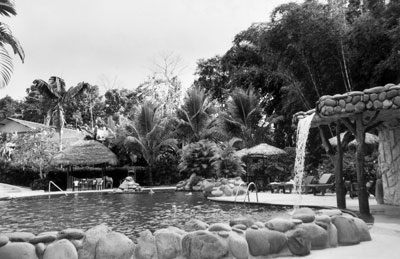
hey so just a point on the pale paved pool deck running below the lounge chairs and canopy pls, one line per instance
(385, 230)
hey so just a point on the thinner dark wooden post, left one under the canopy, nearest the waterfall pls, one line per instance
(339, 181)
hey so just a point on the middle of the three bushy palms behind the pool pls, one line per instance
(196, 117)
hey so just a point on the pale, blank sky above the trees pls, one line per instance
(99, 41)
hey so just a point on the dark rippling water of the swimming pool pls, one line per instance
(126, 213)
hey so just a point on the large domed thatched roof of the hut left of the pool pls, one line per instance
(86, 153)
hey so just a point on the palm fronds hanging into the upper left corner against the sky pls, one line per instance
(6, 38)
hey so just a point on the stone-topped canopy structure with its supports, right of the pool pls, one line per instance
(361, 111)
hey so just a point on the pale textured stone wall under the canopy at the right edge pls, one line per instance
(389, 164)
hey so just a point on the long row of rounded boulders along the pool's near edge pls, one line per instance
(242, 238)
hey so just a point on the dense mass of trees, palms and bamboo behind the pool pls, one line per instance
(272, 70)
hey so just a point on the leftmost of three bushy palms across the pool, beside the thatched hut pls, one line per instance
(148, 135)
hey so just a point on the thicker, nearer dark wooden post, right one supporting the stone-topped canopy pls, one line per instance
(362, 190)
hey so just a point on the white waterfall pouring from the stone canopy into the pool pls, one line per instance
(303, 128)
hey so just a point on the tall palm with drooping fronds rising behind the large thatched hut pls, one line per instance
(55, 90)
